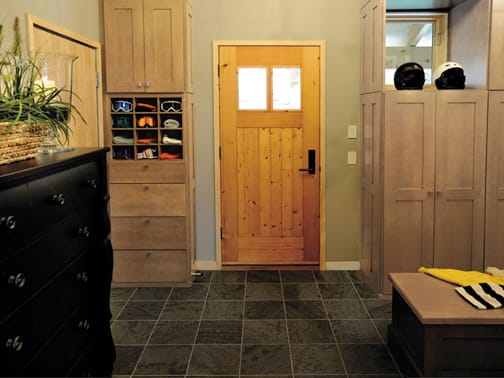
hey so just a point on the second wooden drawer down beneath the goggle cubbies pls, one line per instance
(147, 200)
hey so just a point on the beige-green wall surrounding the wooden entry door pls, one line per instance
(336, 22)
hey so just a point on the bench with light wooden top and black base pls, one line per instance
(434, 332)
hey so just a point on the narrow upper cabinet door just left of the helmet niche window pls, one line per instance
(372, 46)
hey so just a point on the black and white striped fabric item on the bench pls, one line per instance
(483, 296)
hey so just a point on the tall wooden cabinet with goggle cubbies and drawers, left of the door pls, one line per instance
(148, 114)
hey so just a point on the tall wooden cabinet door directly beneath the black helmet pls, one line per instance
(409, 137)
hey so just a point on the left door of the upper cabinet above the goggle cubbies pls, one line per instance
(124, 45)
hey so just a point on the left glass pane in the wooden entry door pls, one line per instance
(252, 88)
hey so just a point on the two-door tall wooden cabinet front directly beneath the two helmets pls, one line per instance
(434, 158)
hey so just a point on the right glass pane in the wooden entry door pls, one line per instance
(286, 88)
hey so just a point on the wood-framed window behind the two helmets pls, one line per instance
(415, 37)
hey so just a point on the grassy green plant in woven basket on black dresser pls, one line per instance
(30, 107)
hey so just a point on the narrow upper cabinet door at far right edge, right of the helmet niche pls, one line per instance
(496, 55)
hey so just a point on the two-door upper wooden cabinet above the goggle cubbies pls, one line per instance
(147, 45)
